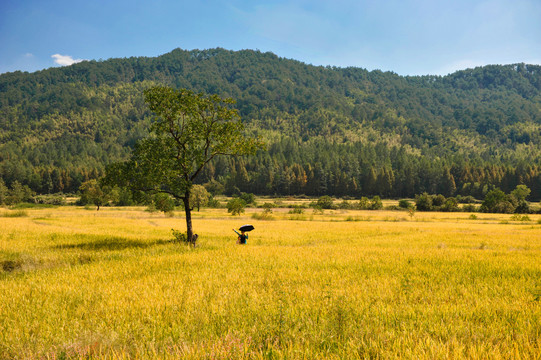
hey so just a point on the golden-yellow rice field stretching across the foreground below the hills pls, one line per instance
(78, 283)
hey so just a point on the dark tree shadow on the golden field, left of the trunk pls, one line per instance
(109, 243)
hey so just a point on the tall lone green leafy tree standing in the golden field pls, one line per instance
(190, 130)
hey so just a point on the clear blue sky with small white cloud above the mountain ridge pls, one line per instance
(409, 37)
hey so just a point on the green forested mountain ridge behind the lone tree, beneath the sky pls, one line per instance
(334, 131)
